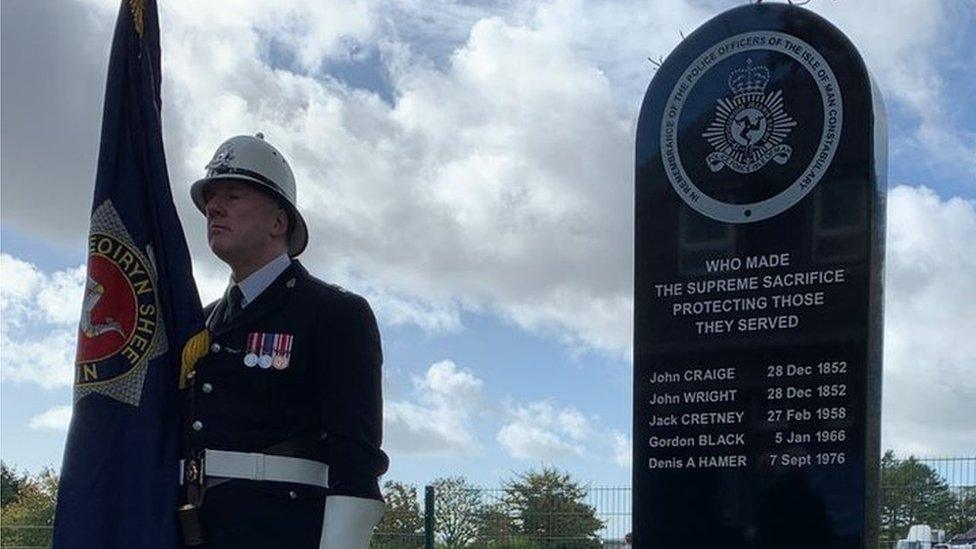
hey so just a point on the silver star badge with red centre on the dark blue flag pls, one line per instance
(121, 329)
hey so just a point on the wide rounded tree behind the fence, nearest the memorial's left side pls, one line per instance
(550, 508)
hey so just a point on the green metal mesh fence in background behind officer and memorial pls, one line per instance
(940, 492)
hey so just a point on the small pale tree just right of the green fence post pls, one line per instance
(457, 512)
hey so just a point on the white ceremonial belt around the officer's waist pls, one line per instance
(252, 466)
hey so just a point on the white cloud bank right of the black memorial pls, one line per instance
(930, 352)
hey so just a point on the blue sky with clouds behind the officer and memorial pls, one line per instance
(468, 167)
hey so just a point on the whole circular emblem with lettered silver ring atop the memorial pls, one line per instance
(751, 101)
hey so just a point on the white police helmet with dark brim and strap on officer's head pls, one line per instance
(251, 158)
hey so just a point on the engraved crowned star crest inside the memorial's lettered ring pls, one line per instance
(749, 128)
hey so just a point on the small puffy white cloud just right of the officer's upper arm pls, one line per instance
(440, 421)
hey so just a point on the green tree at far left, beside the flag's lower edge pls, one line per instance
(27, 521)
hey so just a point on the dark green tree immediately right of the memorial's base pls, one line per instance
(913, 493)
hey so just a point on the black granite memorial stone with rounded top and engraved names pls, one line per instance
(760, 177)
